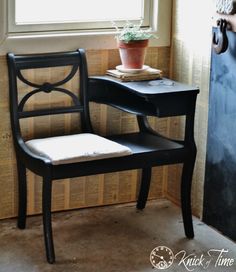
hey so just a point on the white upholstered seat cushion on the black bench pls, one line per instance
(77, 148)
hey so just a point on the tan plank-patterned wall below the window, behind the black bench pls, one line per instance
(86, 191)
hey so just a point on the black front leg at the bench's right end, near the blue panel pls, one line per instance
(186, 185)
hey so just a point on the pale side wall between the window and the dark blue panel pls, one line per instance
(190, 63)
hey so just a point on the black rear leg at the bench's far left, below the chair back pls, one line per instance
(22, 195)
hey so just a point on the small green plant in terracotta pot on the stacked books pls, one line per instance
(132, 43)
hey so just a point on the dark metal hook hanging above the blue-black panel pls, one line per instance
(220, 40)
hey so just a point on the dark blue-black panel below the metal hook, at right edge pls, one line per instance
(220, 179)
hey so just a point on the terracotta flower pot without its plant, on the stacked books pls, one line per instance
(133, 53)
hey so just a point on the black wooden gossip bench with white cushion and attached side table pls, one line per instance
(86, 153)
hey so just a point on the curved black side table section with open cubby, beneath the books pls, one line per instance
(162, 97)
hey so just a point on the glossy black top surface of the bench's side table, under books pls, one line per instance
(151, 87)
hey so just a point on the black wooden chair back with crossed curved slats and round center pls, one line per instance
(77, 63)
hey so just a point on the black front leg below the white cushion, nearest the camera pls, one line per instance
(47, 222)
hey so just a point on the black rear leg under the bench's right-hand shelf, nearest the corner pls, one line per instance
(144, 188)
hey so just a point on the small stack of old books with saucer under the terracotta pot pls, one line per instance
(146, 74)
